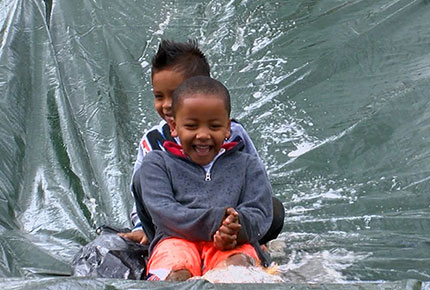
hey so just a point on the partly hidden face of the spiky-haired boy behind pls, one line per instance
(164, 82)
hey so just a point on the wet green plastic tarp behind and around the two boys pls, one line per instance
(335, 95)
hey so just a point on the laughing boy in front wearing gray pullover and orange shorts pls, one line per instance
(210, 202)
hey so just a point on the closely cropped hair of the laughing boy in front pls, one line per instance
(200, 85)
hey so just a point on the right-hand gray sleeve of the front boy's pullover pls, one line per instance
(255, 206)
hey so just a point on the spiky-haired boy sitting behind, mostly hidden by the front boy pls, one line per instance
(173, 63)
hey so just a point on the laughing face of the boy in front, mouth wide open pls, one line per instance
(201, 123)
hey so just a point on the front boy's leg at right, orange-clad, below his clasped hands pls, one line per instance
(243, 255)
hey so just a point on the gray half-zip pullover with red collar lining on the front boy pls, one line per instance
(183, 202)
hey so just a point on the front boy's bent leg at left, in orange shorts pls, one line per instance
(174, 259)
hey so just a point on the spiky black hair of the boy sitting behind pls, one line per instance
(184, 57)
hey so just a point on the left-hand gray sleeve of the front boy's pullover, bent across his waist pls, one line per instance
(169, 216)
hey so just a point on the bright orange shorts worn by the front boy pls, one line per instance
(197, 257)
